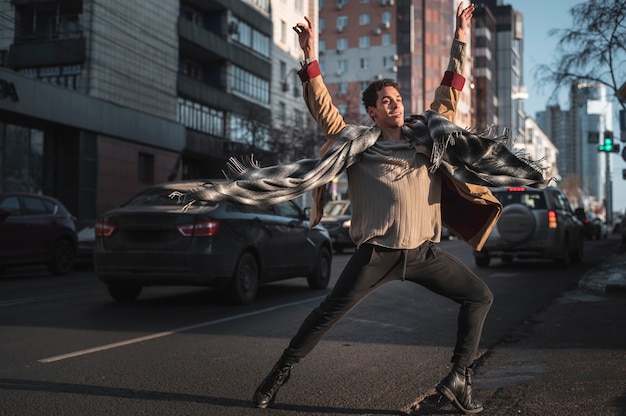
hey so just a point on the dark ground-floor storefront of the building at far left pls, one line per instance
(91, 154)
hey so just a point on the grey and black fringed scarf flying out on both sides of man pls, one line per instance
(476, 158)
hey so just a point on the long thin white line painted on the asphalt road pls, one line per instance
(174, 331)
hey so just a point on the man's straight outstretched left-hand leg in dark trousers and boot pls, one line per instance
(368, 268)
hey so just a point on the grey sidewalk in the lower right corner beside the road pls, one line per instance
(569, 359)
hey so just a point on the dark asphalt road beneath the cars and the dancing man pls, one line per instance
(68, 349)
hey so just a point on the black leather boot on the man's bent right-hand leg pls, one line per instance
(457, 388)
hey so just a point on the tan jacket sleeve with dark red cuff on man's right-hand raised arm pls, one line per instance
(448, 93)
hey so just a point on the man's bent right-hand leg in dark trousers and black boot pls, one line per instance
(446, 275)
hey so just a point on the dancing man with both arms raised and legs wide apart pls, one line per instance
(397, 206)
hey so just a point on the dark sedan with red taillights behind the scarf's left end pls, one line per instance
(149, 240)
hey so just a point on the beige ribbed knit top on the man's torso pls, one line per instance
(395, 199)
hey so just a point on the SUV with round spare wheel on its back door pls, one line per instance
(535, 223)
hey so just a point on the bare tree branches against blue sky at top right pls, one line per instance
(593, 50)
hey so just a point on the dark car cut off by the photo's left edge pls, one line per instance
(36, 230)
